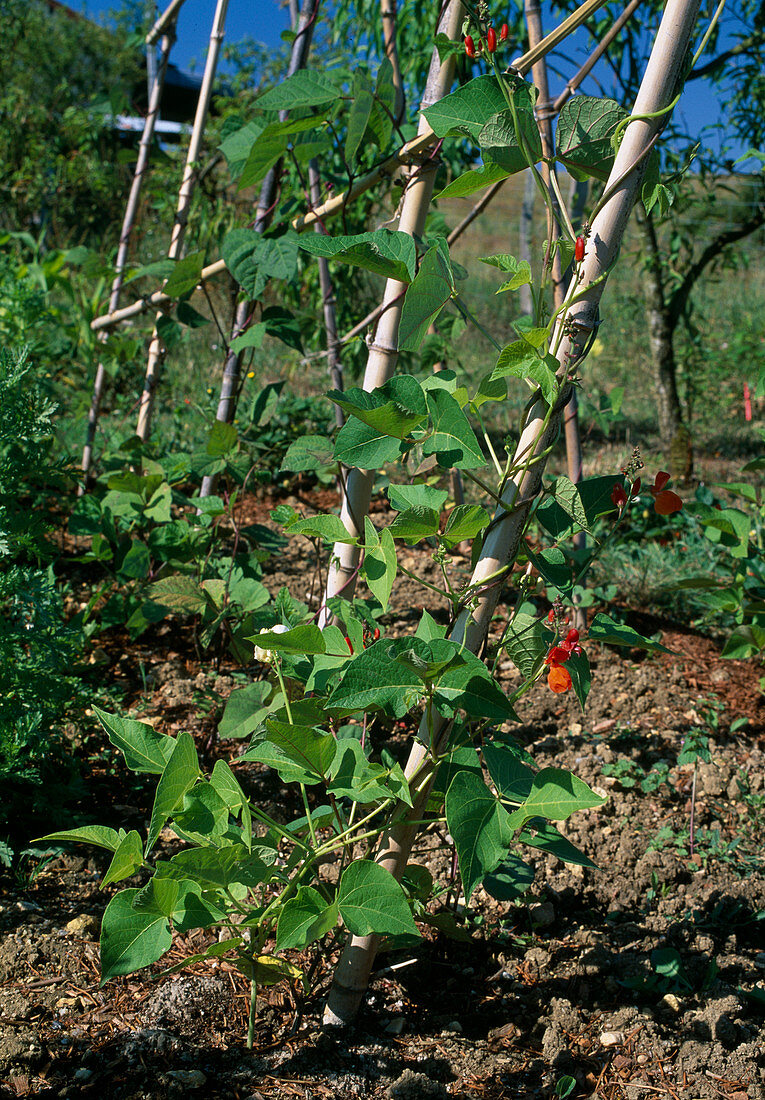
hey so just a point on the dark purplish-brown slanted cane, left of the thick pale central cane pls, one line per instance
(233, 366)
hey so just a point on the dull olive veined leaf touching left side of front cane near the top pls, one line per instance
(586, 126)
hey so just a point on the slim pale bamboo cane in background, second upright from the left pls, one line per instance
(185, 195)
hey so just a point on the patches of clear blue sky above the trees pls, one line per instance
(266, 20)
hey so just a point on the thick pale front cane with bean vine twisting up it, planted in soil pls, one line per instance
(657, 92)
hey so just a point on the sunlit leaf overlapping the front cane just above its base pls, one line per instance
(371, 901)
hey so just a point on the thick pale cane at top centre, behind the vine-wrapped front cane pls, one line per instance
(385, 351)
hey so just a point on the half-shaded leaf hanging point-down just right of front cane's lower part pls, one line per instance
(480, 828)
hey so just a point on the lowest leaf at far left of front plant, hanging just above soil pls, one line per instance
(130, 939)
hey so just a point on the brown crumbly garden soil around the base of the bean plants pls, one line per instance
(559, 987)
